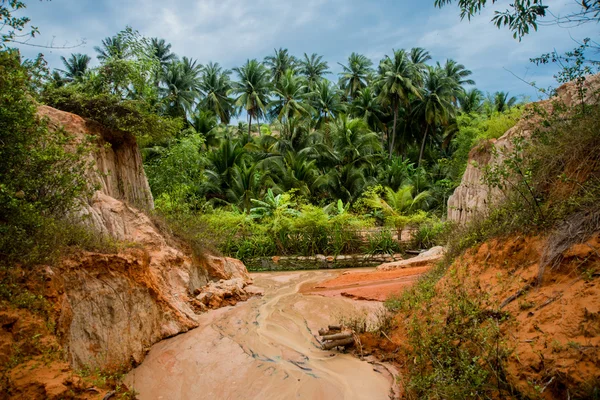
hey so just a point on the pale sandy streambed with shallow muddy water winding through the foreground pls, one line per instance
(264, 348)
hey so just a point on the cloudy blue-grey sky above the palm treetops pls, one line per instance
(231, 31)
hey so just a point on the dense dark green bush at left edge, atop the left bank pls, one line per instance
(40, 181)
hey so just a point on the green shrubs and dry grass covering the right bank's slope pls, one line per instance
(551, 183)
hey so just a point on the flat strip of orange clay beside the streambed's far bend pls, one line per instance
(367, 285)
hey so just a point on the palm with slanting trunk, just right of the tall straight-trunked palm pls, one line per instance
(435, 106)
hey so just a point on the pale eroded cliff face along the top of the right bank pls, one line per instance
(473, 196)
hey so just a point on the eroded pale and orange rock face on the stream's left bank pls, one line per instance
(113, 307)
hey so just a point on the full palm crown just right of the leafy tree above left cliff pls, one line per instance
(181, 89)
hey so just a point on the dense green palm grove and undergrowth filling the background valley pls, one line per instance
(318, 161)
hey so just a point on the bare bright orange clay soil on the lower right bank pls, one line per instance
(553, 328)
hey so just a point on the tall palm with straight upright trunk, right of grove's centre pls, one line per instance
(398, 80)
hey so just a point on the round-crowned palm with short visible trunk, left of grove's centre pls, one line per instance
(252, 90)
